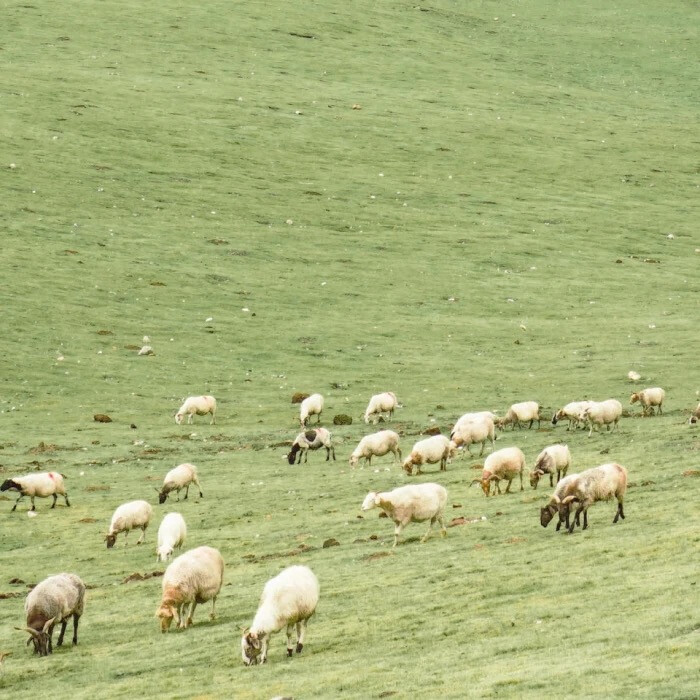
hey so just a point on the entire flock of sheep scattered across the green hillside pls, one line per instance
(289, 599)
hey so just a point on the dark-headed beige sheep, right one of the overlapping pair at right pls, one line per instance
(598, 484)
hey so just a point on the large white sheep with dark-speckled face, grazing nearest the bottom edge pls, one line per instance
(290, 599)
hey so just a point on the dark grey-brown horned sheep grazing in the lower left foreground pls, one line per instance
(53, 600)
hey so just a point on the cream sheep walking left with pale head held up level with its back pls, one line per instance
(413, 503)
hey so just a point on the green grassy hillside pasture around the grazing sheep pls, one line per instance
(509, 212)
